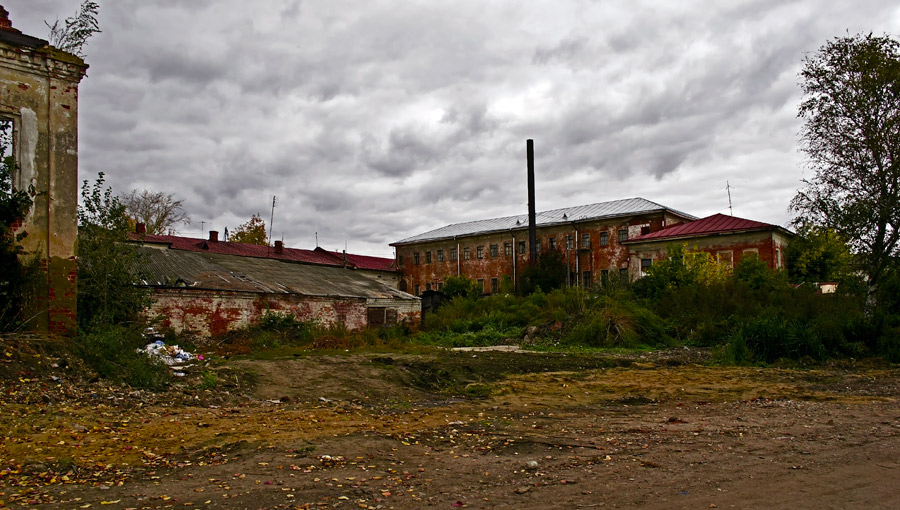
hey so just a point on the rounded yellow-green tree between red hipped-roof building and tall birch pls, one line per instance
(818, 254)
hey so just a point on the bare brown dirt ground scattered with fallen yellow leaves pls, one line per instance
(459, 429)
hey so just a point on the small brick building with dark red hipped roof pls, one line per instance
(727, 238)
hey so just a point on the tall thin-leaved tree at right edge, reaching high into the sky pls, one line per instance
(851, 135)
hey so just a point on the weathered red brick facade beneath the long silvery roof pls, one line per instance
(585, 254)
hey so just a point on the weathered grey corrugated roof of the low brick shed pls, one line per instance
(168, 268)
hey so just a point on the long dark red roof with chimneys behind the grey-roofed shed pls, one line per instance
(318, 256)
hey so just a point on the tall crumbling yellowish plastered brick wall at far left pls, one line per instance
(39, 97)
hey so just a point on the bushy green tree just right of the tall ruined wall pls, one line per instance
(108, 266)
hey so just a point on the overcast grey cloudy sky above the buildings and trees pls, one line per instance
(373, 121)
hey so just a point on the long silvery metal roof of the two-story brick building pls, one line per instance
(624, 207)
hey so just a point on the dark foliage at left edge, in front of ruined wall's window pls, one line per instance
(15, 276)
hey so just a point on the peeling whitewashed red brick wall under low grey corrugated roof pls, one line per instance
(210, 313)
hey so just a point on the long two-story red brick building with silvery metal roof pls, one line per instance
(495, 251)
